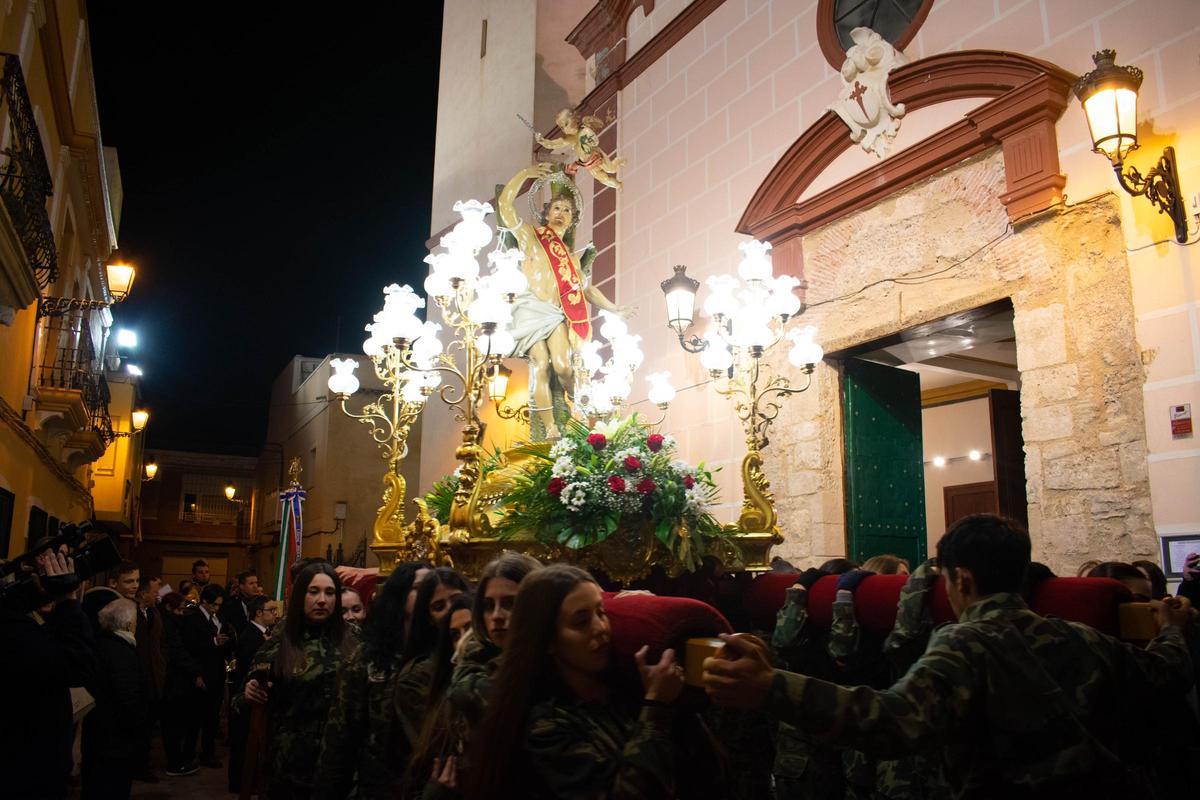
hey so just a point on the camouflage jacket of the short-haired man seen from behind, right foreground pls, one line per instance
(1015, 705)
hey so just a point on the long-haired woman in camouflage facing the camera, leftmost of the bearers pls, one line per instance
(299, 669)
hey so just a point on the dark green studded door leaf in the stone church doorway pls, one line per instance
(885, 472)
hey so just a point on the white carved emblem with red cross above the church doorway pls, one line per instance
(863, 103)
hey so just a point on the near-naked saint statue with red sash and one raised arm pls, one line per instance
(553, 320)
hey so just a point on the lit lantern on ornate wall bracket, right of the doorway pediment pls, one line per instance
(1109, 97)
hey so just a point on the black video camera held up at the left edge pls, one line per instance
(23, 591)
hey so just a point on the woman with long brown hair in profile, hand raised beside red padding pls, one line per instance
(562, 731)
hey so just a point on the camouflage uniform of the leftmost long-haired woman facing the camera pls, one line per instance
(299, 708)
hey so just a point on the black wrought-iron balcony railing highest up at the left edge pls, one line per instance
(25, 176)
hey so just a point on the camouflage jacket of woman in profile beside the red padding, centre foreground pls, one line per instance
(601, 750)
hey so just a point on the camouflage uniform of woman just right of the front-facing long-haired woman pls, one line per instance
(365, 742)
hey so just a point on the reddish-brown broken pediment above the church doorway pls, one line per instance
(1029, 95)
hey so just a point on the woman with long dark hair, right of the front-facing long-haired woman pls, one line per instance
(365, 743)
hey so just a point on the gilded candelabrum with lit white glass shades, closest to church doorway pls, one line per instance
(748, 320)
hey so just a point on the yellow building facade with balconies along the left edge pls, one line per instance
(61, 199)
